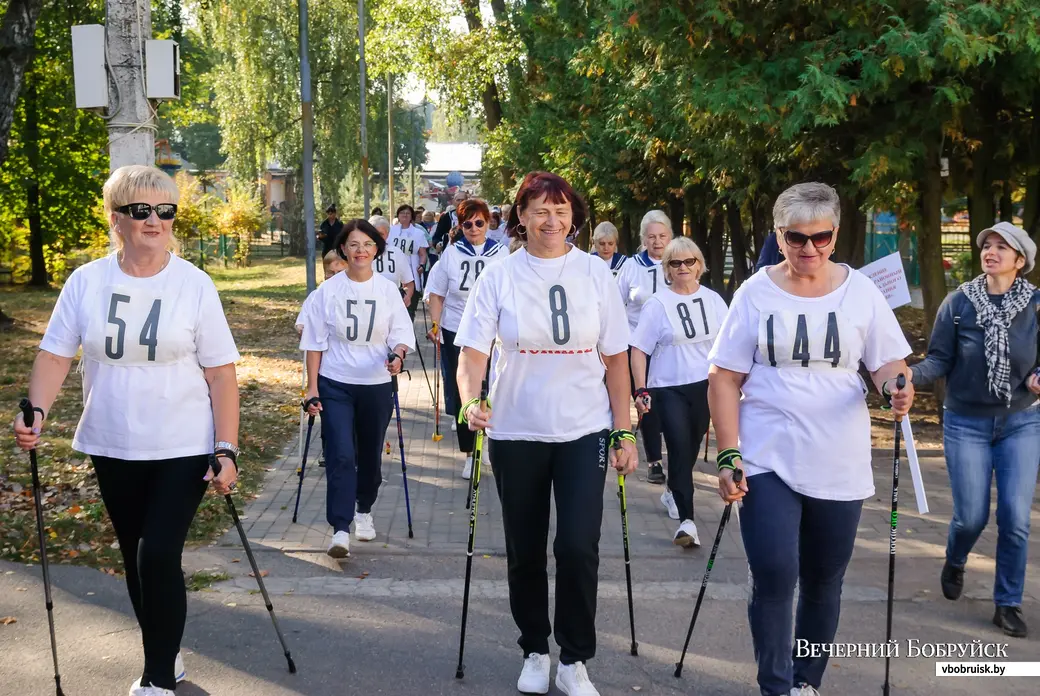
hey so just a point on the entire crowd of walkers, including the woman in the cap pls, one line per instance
(569, 341)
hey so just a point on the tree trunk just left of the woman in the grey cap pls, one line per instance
(933, 281)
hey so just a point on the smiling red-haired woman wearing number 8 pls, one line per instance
(556, 422)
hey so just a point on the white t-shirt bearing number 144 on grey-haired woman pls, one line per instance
(804, 413)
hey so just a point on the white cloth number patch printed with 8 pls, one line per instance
(560, 317)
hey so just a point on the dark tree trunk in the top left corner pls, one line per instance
(17, 39)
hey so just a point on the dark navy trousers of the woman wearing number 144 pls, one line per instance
(791, 538)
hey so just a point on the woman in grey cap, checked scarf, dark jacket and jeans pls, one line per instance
(985, 344)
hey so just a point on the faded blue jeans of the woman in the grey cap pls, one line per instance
(977, 449)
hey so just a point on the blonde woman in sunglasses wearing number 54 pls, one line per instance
(161, 399)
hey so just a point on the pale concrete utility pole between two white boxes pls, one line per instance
(132, 128)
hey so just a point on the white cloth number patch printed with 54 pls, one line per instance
(133, 328)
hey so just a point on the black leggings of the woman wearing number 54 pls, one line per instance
(152, 505)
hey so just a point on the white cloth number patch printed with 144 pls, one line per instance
(815, 341)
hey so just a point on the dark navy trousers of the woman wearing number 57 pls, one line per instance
(357, 418)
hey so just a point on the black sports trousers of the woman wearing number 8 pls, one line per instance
(527, 474)
